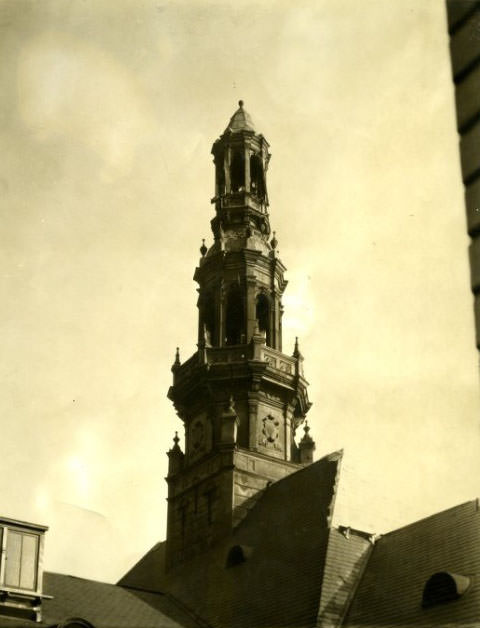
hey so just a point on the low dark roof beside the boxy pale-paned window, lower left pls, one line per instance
(104, 606)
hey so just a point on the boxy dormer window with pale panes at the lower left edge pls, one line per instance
(21, 545)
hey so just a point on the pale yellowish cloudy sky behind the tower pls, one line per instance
(108, 110)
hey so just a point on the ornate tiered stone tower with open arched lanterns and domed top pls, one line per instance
(241, 398)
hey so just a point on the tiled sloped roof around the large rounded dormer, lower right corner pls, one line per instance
(390, 592)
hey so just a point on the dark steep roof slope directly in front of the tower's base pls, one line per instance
(284, 538)
